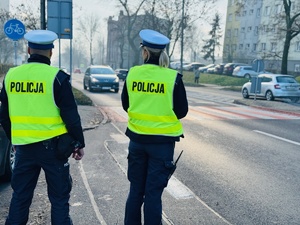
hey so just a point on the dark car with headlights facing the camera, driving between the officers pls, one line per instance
(100, 77)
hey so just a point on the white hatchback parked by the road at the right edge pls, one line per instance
(273, 86)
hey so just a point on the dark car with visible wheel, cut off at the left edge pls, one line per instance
(7, 156)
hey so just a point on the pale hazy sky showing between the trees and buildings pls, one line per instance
(106, 8)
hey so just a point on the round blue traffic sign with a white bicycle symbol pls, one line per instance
(14, 29)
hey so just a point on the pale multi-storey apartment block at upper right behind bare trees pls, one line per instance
(255, 30)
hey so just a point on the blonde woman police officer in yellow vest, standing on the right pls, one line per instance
(155, 99)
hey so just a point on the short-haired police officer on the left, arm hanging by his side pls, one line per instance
(37, 107)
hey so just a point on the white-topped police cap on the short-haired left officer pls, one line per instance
(41, 39)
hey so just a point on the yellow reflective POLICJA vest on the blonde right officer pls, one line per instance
(150, 90)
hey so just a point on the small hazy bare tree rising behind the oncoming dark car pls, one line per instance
(88, 27)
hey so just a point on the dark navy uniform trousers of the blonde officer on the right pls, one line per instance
(149, 167)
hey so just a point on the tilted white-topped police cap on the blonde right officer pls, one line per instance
(153, 39)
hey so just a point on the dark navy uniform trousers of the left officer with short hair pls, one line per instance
(29, 161)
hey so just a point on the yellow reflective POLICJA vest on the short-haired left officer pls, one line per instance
(32, 110)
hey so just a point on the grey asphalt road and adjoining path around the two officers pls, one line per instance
(239, 165)
